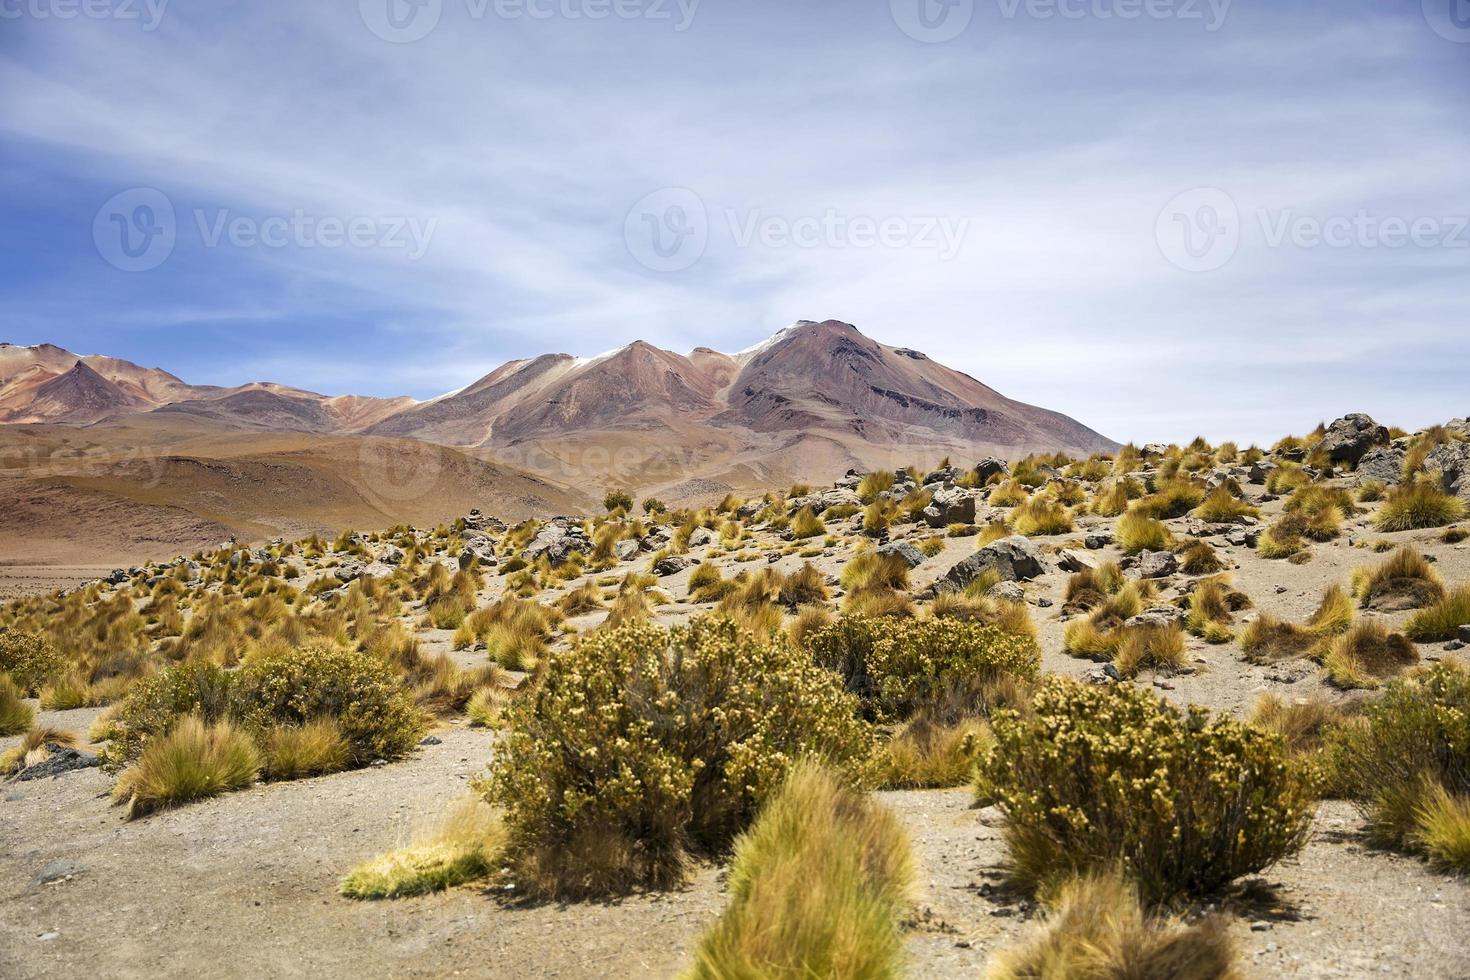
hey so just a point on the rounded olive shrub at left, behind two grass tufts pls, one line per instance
(358, 691)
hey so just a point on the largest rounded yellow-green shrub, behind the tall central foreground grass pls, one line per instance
(645, 746)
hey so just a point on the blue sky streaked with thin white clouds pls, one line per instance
(1166, 218)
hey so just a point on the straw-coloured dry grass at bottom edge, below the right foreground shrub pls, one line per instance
(1100, 931)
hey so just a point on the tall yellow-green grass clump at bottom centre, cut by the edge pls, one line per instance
(817, 890)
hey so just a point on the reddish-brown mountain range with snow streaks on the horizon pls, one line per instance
(811, 400)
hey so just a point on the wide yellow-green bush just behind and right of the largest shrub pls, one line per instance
(900, 666)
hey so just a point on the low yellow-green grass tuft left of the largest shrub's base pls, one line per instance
(458, 851)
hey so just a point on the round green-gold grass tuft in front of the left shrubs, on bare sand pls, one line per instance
(192, 762)
